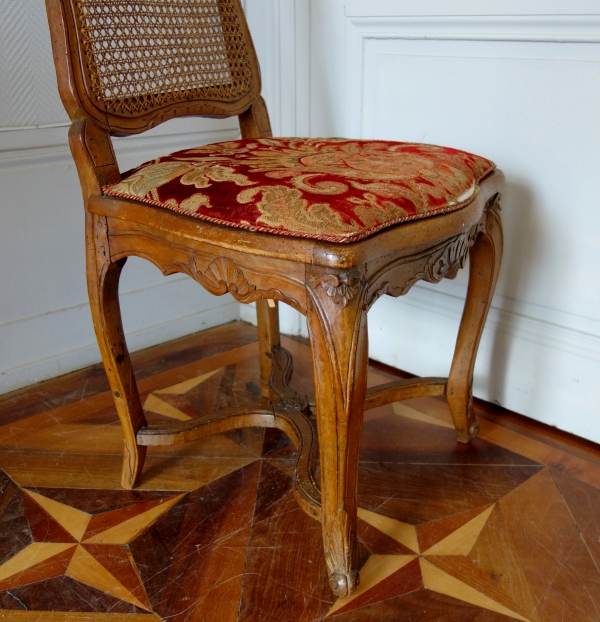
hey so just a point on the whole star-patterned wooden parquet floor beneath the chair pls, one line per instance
(507, 528)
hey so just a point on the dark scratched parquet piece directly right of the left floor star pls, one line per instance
(194, 557)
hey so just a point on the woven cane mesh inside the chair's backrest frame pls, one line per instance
(146, 54)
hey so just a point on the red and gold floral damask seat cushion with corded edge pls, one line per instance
(336, 190)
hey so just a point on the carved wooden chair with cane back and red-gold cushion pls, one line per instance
(125, 67)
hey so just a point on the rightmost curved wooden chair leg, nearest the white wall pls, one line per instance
(485, 257)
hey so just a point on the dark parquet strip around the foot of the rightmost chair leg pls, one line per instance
(391, 438)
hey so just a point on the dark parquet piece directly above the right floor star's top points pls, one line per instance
(418, 494)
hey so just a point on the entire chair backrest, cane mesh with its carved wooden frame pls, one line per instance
(132, 64)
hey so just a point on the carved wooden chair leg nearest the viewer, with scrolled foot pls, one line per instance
(337, 326)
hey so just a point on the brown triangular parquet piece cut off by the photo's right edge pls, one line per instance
(583, 500)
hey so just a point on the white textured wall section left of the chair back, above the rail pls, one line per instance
(28, 92)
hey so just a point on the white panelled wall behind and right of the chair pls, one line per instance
(518, 83)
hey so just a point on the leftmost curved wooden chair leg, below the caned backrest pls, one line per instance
(103, 288)
